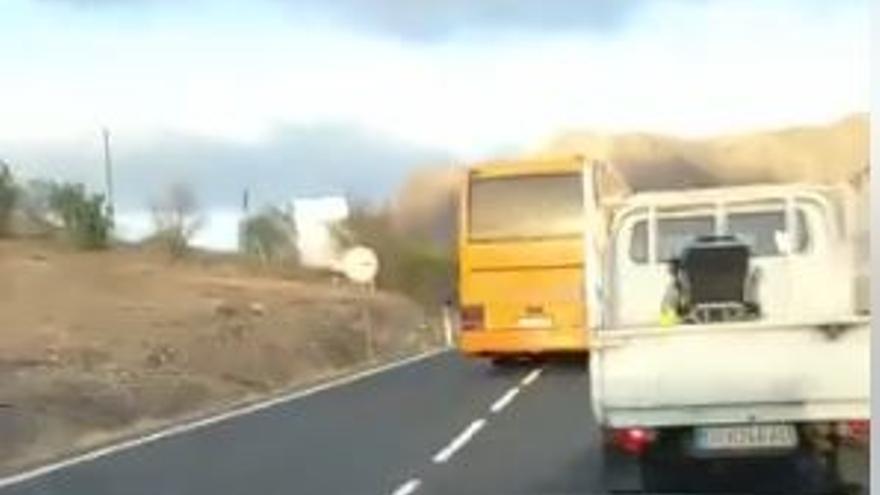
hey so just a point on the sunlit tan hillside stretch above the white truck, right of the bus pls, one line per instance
(826, 154)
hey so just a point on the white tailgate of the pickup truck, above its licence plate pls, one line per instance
(728, 373)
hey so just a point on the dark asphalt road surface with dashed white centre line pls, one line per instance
(440, 425)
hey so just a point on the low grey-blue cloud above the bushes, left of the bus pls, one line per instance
(293, 161)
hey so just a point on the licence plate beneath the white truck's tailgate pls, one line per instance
(746, 437)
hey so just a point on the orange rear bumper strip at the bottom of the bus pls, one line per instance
(491, 343)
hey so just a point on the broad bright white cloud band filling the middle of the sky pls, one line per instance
(230, 75)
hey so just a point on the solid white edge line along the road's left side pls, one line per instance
(211, 420)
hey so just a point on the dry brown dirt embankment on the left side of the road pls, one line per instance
(98, 344)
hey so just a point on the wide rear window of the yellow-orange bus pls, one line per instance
(525, 207)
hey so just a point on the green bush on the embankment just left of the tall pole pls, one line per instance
(84, 216)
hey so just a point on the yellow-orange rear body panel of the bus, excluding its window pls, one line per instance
(522, 280)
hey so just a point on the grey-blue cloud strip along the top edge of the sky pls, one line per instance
(432, 20)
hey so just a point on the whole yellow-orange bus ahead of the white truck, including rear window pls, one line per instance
(521, 258)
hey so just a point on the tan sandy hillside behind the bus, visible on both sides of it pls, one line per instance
(827, 154)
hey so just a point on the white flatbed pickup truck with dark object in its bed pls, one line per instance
(765, 365)
